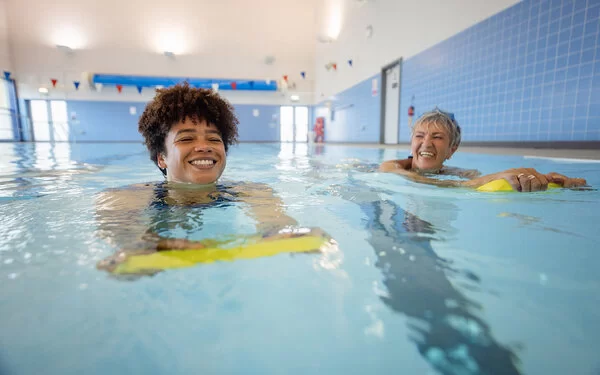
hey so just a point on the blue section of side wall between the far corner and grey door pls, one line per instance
(354, 115)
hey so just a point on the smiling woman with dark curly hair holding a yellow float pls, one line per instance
(188, 132)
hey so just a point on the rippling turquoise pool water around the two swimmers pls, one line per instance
(424, 281)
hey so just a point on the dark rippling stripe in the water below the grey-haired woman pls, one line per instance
(444, 322)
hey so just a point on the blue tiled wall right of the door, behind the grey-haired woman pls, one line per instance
(529, 73)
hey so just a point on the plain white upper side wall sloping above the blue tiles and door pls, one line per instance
(401, 28)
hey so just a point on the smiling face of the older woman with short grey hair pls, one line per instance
(430, 146)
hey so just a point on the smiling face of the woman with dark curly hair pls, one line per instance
(195, 153)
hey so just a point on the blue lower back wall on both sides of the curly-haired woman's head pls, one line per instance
(112, 121)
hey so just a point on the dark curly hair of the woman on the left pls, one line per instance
(174, 104)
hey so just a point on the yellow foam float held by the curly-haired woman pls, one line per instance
(168, 259)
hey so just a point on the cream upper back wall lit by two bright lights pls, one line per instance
(211, 39)
